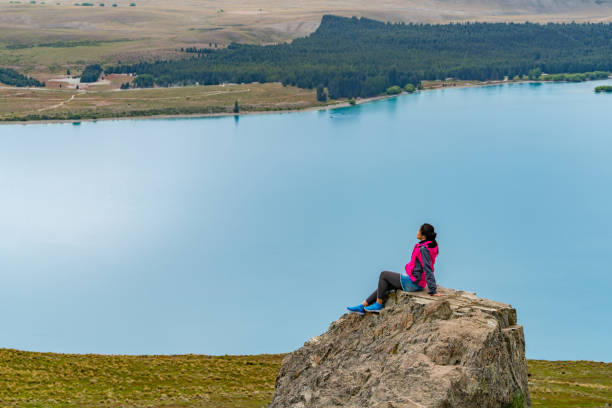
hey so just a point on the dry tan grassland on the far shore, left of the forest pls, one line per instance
(70, 104)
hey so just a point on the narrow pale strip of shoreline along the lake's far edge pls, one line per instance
(342, 104)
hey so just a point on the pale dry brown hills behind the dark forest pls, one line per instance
(157, 29)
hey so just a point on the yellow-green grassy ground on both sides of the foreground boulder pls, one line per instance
(30, 379)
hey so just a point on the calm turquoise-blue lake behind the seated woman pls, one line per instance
(251, 234)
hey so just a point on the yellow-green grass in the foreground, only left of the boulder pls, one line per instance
(70, 380)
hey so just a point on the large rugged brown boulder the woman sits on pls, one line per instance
(452, 351)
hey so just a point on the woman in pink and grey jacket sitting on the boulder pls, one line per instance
(418, 273)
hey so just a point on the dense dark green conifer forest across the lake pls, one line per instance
(362, 57)
